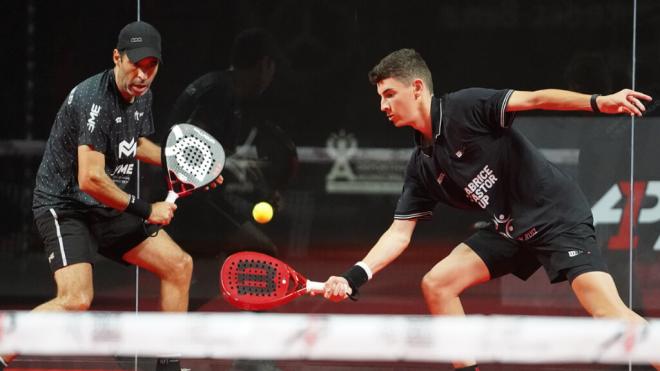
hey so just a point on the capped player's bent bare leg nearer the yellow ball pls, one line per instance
(163, 257)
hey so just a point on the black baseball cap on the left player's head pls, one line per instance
(139, 40)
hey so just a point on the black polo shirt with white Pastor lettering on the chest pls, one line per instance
(478, 161)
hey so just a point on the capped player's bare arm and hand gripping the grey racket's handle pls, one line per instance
(93, 180)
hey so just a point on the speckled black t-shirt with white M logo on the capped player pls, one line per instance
(93, 114)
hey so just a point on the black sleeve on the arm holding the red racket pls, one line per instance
(415, 201)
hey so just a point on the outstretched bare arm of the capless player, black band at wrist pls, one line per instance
(625, 101)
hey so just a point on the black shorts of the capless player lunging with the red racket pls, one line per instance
(565, 256)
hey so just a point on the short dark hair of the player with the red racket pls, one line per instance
(403, 64)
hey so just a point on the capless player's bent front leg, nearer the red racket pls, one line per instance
(443, 284)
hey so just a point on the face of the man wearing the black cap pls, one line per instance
(134, 79)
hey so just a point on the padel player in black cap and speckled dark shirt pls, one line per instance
(82, 203)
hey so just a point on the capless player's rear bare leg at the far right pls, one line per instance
(597, 293)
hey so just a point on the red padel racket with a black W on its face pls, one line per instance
(255, 281)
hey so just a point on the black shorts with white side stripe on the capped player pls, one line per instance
(75, 236)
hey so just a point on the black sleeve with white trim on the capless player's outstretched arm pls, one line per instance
(481, 109)
